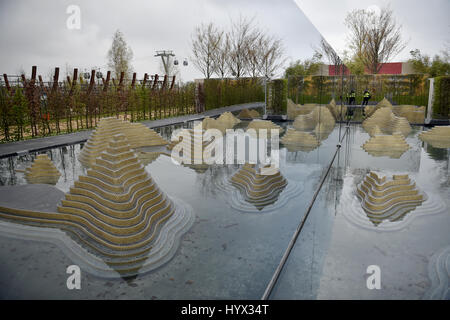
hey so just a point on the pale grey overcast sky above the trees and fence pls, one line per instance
(35, 32)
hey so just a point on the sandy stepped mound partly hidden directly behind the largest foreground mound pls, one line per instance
(137, 134)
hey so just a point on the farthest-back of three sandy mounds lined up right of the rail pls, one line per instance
(387, 123)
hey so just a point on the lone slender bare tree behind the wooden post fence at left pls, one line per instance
(120, 56)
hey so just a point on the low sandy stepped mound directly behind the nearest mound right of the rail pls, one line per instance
(380, 145)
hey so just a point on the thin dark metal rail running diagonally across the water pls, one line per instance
(286, 254)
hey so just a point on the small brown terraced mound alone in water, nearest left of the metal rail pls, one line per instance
(259, 190)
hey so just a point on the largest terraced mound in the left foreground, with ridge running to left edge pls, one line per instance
(118, 214)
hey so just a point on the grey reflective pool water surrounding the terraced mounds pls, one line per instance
(231, 252)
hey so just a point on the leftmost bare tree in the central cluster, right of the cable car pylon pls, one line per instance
(205, 44)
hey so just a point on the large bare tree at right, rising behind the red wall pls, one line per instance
(375, 38)
